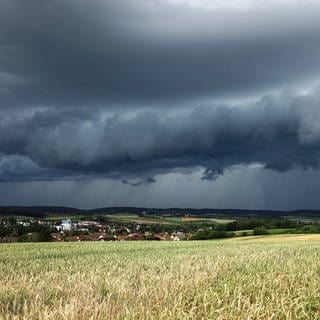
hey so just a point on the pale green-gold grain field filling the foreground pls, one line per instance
(269, 277)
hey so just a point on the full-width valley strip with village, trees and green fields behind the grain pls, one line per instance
(123, 227)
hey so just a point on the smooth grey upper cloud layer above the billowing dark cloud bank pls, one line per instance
(105, 53)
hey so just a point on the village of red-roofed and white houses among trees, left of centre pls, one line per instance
(32, 230)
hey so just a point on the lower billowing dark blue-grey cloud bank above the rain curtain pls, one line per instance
(281, 132)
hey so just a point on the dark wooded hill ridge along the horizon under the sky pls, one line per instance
(42, 211)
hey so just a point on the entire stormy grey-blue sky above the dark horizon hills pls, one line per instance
(160, 103)
